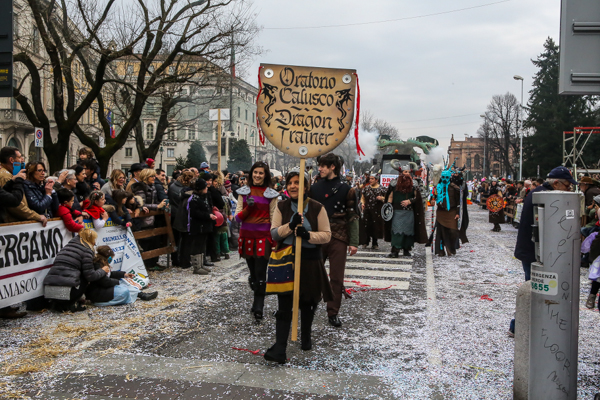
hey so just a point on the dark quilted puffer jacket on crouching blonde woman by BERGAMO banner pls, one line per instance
(73, 266)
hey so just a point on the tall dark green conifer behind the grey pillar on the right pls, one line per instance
(550, 114)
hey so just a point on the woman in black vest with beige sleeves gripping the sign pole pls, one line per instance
(312, 225)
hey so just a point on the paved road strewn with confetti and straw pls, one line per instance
(435, 330)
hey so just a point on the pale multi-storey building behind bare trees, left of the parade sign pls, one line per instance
(191, 123)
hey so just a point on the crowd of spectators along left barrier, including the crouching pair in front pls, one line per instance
(28, 193)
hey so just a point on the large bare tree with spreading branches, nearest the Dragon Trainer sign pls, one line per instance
(174, 38)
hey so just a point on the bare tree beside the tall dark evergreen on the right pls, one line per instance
(501, 130)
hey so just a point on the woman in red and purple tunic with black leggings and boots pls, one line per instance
(256, 205)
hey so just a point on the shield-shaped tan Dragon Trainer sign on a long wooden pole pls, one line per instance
(305, 112)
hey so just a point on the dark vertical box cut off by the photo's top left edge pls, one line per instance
(6, 48)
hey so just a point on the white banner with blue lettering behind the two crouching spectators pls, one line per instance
(127, 255)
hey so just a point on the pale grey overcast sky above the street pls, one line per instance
(433, 70)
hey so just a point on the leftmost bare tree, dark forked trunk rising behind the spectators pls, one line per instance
(65, 47)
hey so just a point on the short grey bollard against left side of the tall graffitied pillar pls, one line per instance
(521, 358)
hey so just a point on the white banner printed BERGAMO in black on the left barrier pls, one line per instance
(27, 253)
